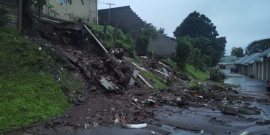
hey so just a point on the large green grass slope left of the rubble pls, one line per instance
(28, 93)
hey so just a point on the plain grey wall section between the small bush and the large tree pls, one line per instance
(163, 46)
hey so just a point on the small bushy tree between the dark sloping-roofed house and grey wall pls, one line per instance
(147, 33)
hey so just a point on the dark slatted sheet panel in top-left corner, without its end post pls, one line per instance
(13, 11)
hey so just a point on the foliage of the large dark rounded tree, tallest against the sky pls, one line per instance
(204, 36)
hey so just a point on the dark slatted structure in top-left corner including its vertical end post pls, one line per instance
(15, 11)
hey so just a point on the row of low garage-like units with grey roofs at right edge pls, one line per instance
(256, 64)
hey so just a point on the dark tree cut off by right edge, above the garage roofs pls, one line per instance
(258, 46)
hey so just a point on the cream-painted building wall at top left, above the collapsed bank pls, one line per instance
(74, 11)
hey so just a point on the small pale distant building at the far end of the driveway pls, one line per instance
(228, 61)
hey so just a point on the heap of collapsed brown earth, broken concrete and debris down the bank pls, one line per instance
(113, 94)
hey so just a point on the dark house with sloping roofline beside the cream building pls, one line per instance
(128, 20)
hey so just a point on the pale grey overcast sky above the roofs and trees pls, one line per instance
(240, 21)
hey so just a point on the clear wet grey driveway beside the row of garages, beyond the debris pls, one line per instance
(252, 87)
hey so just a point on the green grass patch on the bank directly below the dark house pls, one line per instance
(125, 40)
